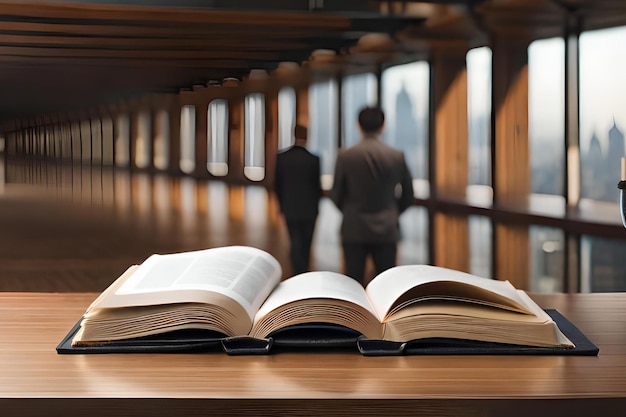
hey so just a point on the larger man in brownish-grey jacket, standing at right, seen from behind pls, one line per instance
(372, 187)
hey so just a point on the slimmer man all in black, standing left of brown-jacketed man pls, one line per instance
(298, 188)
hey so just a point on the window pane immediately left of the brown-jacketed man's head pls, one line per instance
(357, 92)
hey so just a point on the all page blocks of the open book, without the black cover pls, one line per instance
(237, 291)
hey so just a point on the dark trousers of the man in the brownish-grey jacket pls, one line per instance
(355, 256)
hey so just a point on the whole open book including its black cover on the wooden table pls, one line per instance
(231, 299)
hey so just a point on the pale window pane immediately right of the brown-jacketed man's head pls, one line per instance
(405, 96)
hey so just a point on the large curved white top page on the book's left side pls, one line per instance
(244, 274)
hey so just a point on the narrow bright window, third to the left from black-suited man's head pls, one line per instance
(217, 151)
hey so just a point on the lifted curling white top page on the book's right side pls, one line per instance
(385, 289)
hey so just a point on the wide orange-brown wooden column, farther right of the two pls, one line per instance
(510, 153)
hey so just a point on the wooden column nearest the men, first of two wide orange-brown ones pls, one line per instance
(449, 154)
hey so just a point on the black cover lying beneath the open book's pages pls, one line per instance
(325, 337)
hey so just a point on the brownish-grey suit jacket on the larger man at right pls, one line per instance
(372, 187)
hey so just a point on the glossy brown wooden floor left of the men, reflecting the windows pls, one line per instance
(77, 231)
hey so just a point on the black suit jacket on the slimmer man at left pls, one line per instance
(297, 183)
